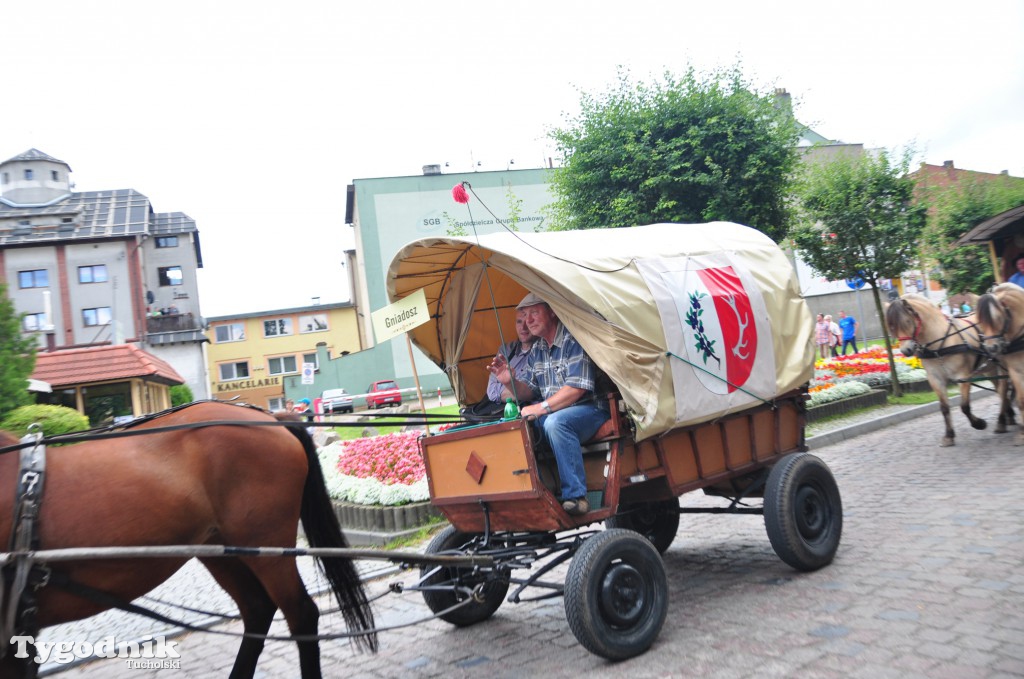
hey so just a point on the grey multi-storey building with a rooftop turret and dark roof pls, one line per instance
(100, 268)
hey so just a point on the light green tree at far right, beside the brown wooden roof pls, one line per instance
(955, 211)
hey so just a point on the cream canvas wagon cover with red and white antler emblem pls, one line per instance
(691, 322)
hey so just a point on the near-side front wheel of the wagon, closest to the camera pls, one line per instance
(617, 595)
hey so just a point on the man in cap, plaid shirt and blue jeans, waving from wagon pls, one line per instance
(562, 376)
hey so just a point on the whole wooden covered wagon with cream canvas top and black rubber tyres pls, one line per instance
(707, 346)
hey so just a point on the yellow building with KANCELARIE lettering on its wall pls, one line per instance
(251, 355)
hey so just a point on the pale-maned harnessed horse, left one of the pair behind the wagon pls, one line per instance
(951, 351)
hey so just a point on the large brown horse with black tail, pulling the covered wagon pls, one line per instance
(235, 485)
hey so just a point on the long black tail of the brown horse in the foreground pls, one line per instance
(322, 529)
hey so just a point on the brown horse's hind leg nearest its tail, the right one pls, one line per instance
(281, 578)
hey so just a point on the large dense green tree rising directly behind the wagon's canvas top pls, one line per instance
(690, 150)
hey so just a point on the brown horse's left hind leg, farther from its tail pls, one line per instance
(255, 608)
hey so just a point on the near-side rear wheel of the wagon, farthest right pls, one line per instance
(803, 512)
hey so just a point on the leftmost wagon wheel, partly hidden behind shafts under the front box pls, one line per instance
(496, 584)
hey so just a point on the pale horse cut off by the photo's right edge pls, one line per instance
(1001, 319)
